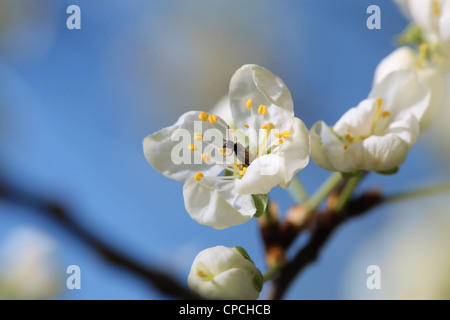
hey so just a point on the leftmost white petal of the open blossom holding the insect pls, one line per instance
(166, 150)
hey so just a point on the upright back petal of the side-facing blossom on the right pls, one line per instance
(402, 93)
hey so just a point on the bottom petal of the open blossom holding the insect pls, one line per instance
(216, 203)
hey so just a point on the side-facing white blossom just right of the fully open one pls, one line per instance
(377, 134)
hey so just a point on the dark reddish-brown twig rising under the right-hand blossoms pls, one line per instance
(323, 226)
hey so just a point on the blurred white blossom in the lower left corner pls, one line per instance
(29, 268)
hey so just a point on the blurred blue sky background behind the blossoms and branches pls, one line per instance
(76, 105)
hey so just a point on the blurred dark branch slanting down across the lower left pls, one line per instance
(158, 279)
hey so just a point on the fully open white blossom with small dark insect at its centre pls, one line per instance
(223, 165)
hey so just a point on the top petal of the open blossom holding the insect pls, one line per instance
(264, 88)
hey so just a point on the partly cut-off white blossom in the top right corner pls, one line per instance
(433, 18)
